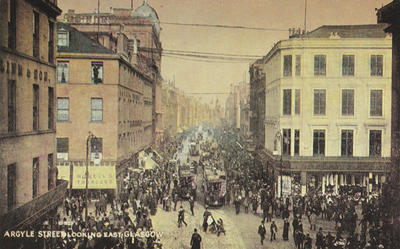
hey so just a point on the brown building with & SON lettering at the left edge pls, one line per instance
(27, 112)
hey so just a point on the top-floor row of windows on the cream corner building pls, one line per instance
(376, 65)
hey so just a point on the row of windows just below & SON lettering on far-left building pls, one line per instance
(12, 107)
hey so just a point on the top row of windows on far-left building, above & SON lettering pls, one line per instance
(36, 27)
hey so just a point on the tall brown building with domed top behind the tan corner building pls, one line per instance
(141, 26)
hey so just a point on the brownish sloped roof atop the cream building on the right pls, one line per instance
(349, 31)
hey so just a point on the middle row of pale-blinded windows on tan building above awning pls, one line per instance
(96, 109)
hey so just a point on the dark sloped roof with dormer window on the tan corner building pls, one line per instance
(80, 42)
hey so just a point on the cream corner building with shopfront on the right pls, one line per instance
(327, 108)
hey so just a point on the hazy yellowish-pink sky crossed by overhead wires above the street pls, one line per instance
(193, 76)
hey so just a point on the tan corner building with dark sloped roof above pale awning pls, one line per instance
(99, 91)
